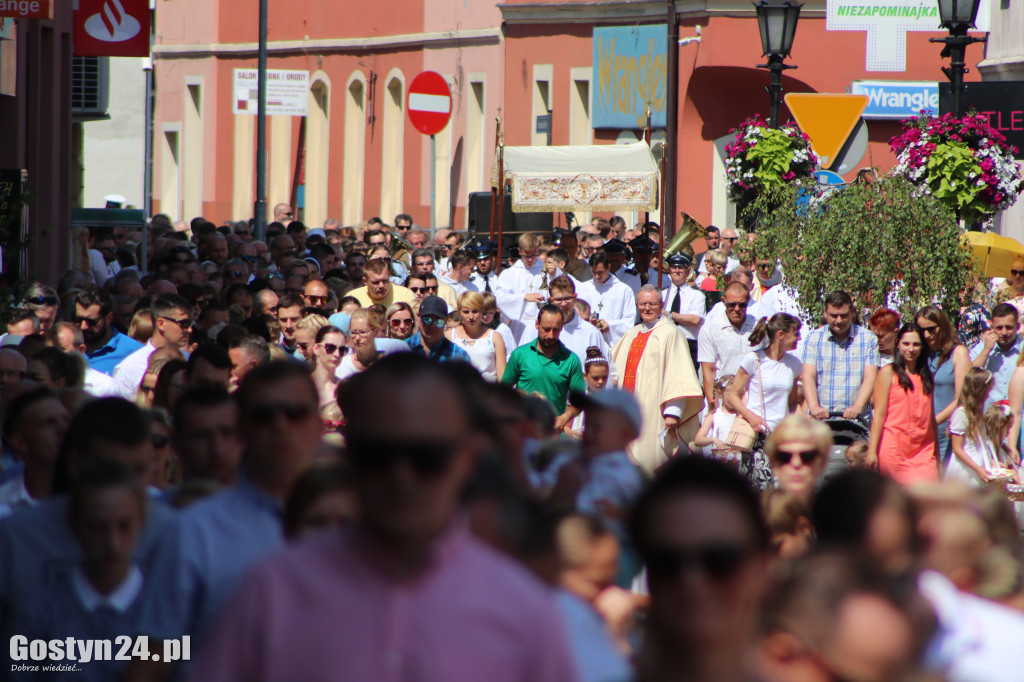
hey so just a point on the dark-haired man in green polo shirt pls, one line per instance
(547, 367)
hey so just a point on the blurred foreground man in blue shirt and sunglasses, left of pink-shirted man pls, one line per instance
(207, 551)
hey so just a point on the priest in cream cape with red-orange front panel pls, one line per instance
(656, 366)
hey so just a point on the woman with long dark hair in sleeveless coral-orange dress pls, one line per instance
(904, 434)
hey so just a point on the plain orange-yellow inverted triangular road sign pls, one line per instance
(828, 120)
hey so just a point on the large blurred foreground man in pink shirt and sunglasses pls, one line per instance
(474, 612)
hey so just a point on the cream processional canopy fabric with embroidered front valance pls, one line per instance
(607, 178)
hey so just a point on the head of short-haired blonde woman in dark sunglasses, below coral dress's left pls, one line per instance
(798, 451)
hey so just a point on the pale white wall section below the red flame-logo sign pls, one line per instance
(114, 151)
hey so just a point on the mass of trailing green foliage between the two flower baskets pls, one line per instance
(878, 241)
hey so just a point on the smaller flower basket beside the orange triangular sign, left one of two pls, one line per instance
(763, 158)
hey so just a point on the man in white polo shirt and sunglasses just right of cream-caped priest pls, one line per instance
(722, 344)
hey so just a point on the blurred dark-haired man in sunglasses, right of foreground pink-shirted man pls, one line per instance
(700, 532)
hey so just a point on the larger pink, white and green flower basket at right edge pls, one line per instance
(963, 162)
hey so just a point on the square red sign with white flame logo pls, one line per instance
(112, 28)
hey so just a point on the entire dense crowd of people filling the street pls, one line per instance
(375, 453)
